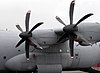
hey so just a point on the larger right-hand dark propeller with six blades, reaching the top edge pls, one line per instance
(70, 30)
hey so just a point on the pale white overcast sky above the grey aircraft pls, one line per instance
(13, 12)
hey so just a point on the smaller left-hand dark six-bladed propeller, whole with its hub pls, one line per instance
(26, 36)
